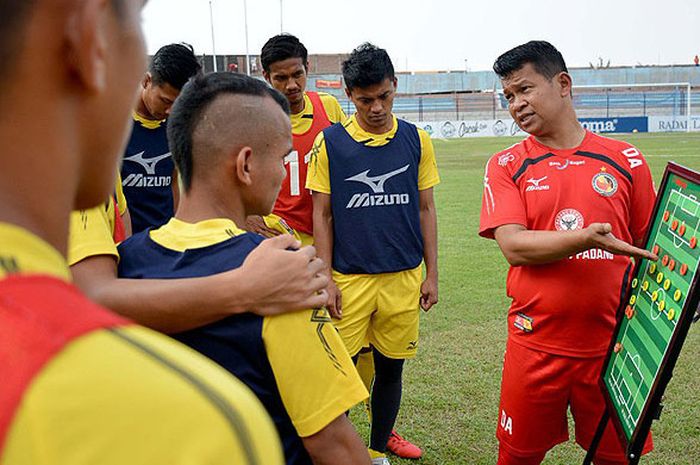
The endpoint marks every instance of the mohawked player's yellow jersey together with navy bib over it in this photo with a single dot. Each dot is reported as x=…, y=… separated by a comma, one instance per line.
x=295, y=363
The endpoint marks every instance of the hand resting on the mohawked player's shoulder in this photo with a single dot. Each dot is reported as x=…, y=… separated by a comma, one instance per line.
x=281, y=280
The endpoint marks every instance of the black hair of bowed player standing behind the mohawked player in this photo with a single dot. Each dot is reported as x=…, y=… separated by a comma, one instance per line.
x=174, y=64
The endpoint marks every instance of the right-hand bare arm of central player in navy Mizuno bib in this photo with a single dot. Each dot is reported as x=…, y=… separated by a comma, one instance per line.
x=428, y=226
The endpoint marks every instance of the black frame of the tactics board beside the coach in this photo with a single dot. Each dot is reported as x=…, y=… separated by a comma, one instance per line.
x=651, y=409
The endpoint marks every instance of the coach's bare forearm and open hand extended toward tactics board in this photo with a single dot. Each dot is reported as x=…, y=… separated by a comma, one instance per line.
x=521, y=246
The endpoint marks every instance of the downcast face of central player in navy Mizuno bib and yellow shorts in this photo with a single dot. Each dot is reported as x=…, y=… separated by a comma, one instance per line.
x=374, y=105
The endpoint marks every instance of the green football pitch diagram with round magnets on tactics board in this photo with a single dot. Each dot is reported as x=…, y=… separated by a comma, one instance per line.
x=658, y=294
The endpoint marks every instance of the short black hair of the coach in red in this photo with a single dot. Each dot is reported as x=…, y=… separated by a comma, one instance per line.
x=543, y=56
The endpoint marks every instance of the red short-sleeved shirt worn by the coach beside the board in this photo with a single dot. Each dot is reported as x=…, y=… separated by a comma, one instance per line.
x=568, y=307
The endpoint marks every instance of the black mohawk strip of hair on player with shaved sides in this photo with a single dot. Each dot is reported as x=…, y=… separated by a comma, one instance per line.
x=189, y=107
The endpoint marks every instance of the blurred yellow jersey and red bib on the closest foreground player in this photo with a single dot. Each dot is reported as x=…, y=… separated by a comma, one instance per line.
x=115, y=394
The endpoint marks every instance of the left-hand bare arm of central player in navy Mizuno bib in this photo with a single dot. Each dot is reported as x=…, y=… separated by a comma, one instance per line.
x=323, y=239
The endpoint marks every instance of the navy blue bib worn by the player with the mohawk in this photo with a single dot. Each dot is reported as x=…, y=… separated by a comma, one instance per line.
x=236, y=343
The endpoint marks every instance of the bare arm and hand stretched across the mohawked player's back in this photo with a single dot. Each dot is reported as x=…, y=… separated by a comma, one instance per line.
x=272, y=280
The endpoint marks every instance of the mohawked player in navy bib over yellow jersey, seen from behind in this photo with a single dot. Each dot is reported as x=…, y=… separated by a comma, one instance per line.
x=229, y=134
